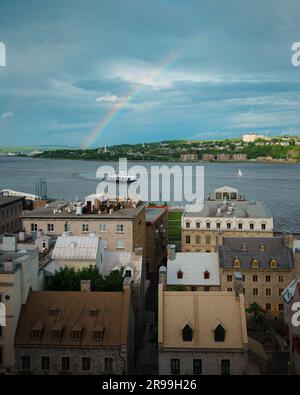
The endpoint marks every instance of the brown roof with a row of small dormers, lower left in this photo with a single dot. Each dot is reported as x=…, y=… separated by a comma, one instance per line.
x=74, y=309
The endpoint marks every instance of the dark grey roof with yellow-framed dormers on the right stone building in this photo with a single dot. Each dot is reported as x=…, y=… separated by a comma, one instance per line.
x=274, y=247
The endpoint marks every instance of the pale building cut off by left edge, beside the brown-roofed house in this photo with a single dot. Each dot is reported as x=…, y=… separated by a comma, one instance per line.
x=18, y=274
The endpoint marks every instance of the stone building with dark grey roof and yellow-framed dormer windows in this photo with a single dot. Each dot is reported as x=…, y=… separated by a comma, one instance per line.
x=266, y=264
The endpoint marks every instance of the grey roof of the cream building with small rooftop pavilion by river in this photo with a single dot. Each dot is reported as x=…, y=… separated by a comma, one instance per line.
x=241, y=209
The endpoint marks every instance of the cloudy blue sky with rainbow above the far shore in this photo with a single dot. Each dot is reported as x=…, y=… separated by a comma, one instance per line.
x=103, y=72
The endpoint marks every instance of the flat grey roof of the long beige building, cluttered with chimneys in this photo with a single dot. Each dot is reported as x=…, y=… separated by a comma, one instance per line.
x=48, y=212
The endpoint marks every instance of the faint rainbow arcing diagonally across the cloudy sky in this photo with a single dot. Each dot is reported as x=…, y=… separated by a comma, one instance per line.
x=120, y=106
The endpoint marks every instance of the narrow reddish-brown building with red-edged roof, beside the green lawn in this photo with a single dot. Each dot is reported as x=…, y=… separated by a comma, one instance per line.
x=156, y=237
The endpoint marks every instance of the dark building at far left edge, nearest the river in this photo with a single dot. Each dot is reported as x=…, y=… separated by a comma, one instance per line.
x=10, y=212
